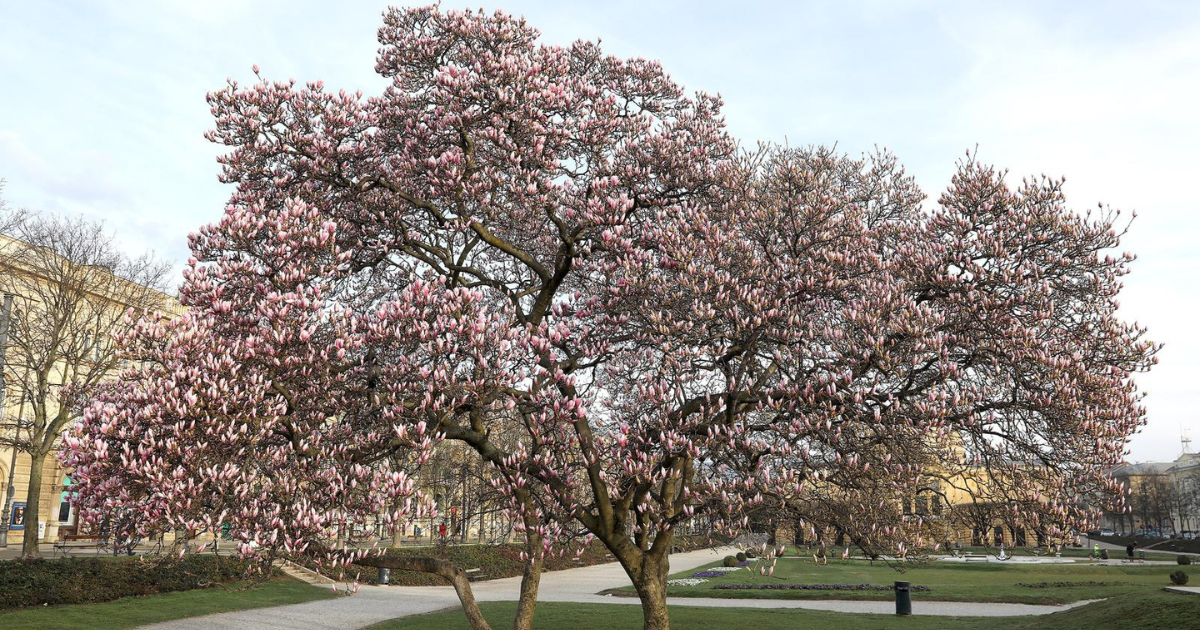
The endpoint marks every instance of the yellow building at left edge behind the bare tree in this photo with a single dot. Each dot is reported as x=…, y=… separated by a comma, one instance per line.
x=65, y=295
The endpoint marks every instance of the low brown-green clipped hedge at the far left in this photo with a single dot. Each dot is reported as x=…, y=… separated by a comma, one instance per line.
x=94, y=580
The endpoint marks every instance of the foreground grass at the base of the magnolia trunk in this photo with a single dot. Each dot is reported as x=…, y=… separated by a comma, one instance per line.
x=1144, y=611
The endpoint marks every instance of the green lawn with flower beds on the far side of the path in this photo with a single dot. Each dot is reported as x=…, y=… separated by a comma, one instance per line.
x=947, y=581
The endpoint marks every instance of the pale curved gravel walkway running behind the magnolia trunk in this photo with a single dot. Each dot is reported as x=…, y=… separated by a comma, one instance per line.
x=377, y=604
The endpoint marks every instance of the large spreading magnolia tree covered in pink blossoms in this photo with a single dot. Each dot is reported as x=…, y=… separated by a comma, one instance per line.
x=565, y=250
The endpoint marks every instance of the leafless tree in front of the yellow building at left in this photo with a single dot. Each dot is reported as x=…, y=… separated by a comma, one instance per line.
x=71, y=292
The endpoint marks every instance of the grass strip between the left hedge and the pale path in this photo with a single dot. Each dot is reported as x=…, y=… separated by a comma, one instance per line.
x=129, y=613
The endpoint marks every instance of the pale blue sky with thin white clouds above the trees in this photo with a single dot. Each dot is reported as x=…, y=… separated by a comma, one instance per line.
x=103, y=110
